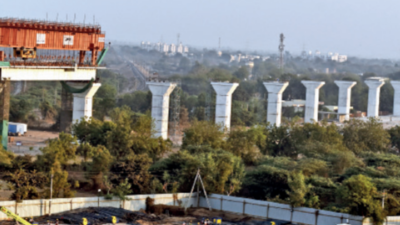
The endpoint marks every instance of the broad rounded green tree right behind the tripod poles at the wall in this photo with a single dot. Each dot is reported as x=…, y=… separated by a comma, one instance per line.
x=222, y=172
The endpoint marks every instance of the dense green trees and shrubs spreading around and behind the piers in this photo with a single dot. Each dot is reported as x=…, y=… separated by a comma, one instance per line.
x=347, y=169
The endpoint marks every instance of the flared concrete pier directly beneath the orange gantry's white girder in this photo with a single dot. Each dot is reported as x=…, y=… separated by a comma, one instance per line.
x=83, y=102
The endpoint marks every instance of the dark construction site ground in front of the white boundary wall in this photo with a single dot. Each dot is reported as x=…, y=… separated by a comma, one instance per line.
x=103, y=215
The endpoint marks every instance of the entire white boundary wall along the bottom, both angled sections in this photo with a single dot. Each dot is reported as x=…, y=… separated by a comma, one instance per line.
x=250, y=207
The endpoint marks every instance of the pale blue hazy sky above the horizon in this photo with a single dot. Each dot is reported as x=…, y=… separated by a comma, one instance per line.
x=368, y=28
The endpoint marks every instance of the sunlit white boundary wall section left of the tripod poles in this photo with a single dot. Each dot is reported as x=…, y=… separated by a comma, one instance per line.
x=40, y=207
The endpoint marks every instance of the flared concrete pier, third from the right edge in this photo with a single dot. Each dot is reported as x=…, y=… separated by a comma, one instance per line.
x=344, y=98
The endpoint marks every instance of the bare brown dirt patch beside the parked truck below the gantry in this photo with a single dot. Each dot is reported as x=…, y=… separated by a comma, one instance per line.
x=31, y=142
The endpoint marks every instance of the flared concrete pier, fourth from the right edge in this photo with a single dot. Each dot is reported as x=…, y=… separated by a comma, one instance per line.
x=312, y=99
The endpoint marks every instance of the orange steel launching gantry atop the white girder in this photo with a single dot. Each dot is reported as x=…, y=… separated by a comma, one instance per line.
x=33, y=42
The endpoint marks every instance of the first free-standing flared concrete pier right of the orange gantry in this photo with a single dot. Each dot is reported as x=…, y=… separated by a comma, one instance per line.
x=160, y=106
